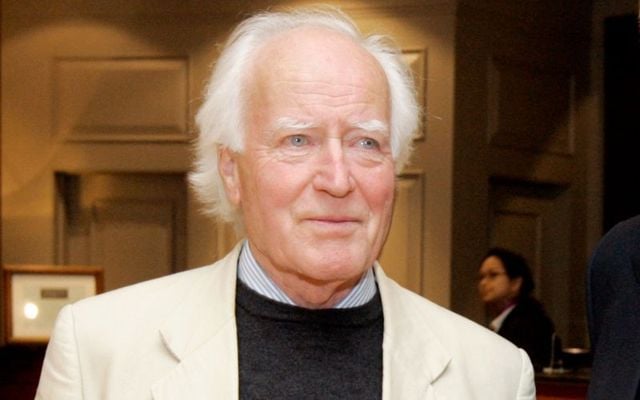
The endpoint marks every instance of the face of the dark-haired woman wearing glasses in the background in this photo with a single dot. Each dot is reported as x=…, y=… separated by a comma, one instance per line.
x=494, y=285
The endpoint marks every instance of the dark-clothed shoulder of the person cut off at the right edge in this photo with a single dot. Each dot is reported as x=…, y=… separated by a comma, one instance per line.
x=613, y=311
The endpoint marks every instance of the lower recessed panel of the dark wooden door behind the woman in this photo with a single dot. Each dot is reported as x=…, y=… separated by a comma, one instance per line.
x=535, y=221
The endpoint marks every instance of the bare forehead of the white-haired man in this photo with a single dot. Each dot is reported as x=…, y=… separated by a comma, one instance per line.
x=317, y=76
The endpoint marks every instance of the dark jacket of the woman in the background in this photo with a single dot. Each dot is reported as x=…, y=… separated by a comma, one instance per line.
x=529, y=327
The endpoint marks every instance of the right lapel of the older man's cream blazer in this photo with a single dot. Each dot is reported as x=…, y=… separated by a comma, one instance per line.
x=413, y=356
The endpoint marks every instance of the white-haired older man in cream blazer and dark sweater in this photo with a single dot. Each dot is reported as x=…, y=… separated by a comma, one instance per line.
x=304, y=124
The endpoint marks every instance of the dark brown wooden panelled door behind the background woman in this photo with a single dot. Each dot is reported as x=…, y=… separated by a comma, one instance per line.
x=520, y=164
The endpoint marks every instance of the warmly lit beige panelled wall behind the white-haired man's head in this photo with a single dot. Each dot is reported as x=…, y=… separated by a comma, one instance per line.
x=52, y=124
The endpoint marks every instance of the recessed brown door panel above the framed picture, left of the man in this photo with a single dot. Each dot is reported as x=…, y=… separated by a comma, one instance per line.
x=132, y=225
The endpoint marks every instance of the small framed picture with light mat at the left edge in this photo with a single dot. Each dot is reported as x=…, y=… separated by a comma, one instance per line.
x=34, y=294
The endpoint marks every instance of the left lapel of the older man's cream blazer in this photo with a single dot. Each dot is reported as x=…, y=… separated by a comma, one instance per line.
x=202, y=337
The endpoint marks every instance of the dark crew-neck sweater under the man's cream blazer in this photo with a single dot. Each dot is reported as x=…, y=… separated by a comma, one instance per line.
x=289, y=352
